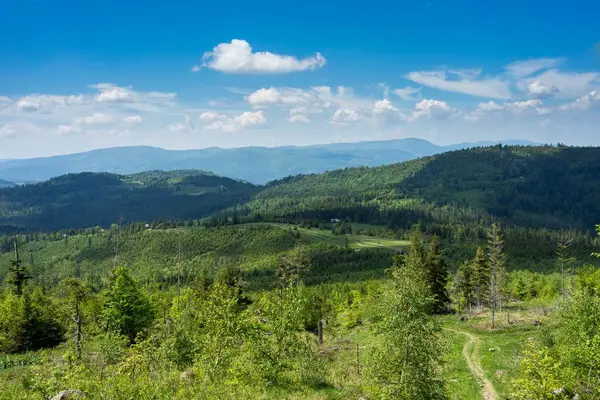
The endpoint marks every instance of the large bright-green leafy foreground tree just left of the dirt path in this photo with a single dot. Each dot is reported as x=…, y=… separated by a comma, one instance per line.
x=404, y=362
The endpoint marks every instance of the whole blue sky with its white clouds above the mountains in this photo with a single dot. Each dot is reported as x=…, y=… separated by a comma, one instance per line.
x=185, y=74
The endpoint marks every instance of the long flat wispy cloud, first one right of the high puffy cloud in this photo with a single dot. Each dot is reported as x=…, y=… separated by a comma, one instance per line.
x=490, y=87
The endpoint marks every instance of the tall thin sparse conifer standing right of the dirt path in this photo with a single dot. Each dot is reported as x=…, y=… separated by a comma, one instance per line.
x=496, y=259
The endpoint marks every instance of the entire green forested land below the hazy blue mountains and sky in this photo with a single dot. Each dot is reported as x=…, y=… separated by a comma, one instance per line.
x=155, y=263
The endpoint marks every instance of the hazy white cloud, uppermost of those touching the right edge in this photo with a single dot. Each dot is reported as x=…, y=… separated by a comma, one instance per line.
x=568, y=85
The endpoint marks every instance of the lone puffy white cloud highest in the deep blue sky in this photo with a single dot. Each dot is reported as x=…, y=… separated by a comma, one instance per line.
x=237, y=57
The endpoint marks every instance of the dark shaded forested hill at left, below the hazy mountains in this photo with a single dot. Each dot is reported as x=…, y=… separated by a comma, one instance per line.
x=90, y=199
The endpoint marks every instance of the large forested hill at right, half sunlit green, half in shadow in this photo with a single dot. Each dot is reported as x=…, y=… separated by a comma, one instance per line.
x=534, y=186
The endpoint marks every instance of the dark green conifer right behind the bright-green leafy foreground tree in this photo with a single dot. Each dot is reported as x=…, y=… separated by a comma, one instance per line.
x=437, y=276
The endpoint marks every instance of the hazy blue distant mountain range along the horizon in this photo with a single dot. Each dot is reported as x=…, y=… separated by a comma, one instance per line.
x=253, y=164
